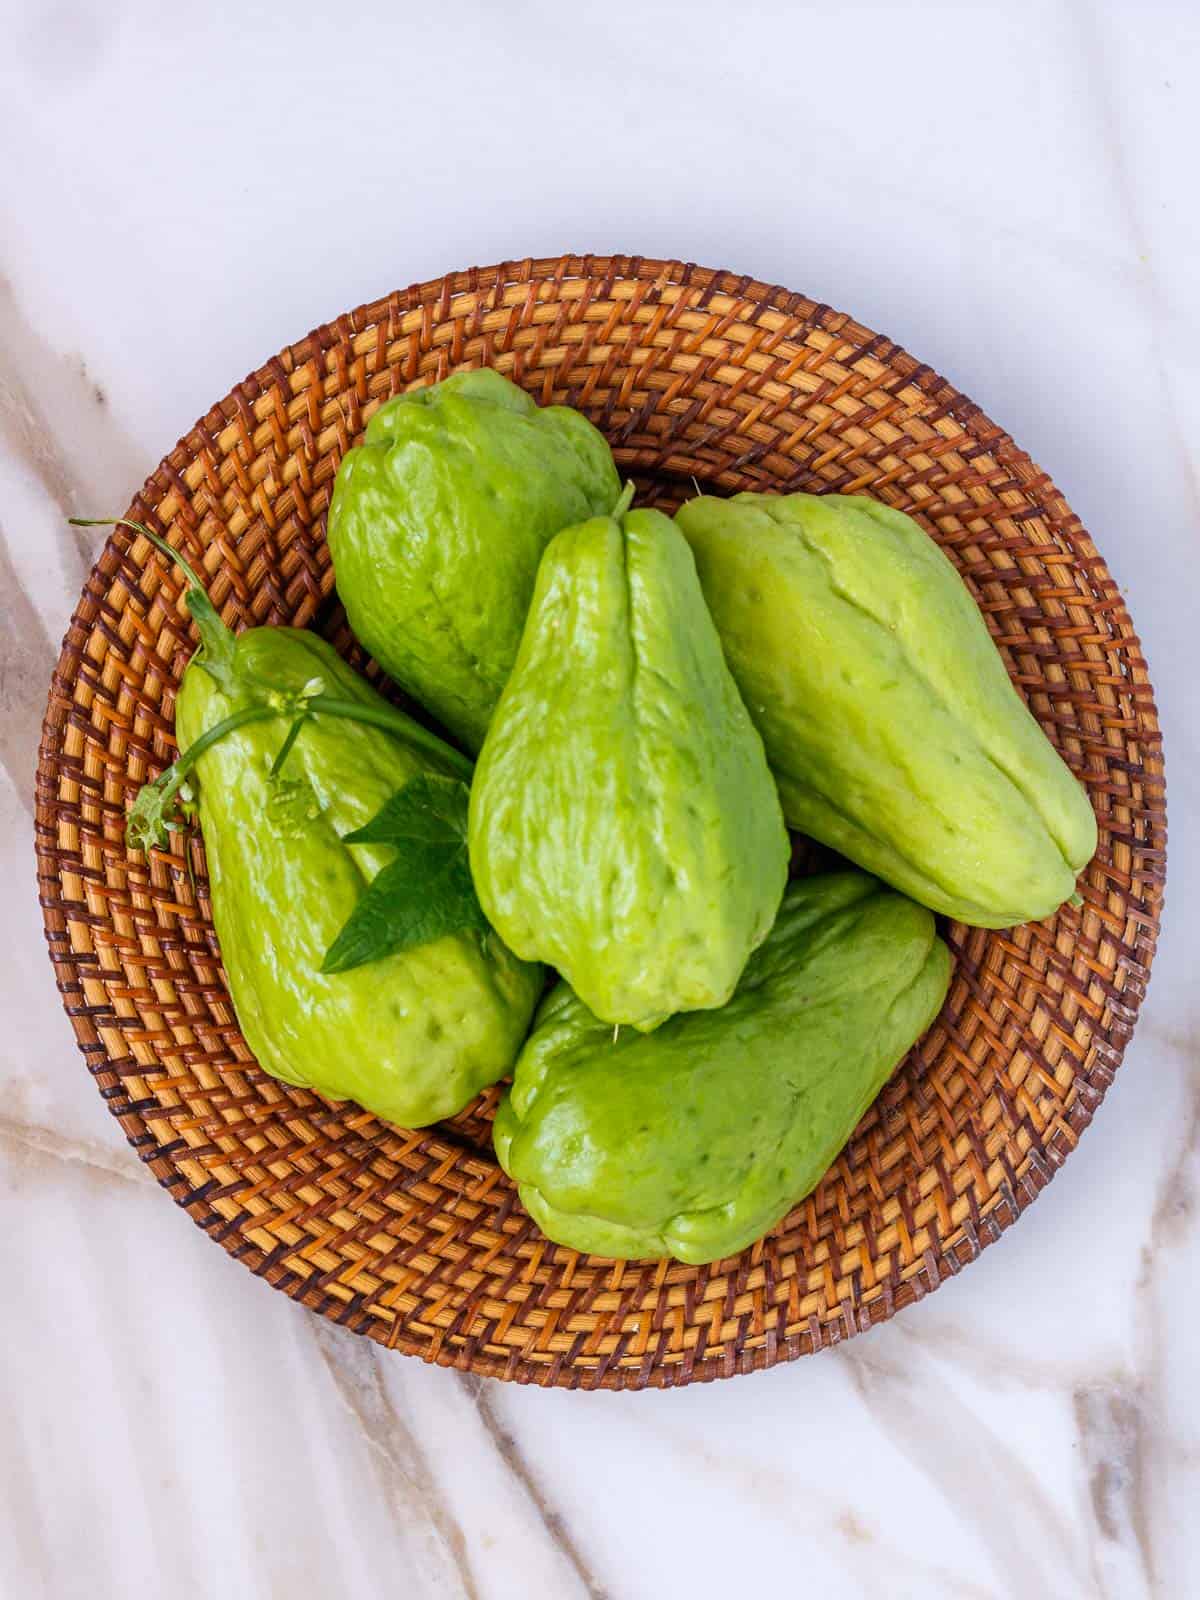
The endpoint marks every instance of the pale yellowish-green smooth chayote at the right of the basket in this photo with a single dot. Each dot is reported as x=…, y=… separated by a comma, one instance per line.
x=889, y=718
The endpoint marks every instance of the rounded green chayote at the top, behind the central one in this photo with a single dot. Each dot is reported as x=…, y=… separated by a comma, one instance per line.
x=438, y=524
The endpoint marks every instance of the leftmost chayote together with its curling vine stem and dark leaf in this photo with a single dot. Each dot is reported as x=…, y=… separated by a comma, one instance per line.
x=294, y=751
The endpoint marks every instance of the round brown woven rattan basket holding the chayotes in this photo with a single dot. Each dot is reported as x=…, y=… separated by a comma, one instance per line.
x=417, y=1239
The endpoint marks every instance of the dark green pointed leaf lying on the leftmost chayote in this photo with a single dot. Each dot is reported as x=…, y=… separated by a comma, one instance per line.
x=426, y=894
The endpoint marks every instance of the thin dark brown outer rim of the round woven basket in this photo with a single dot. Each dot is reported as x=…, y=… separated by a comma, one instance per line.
x=434, y=298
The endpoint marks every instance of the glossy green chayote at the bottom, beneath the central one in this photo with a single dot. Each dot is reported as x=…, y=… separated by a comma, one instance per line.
x=695, y=1140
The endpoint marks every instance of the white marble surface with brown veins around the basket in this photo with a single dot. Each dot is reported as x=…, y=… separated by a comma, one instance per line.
x=1006, y=188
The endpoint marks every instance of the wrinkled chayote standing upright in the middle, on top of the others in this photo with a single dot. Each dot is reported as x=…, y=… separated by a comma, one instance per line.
x=623, y=822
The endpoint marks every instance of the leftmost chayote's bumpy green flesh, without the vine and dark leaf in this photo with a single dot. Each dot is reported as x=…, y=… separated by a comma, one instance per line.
x=410, y=1038
